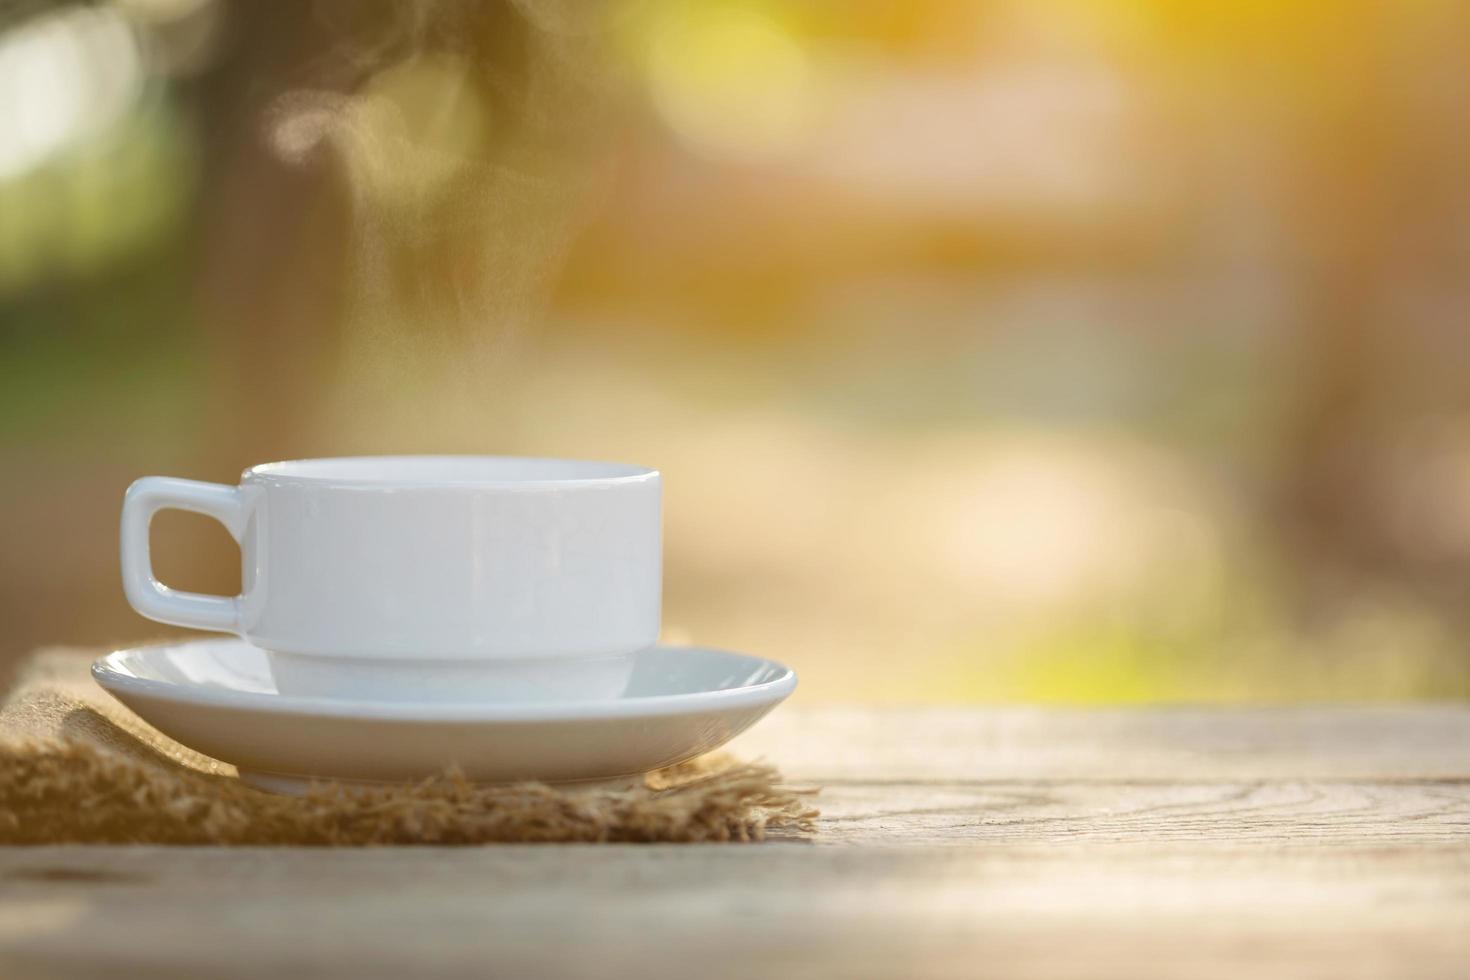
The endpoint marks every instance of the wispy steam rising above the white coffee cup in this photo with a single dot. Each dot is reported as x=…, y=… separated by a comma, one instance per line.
x=465, y=139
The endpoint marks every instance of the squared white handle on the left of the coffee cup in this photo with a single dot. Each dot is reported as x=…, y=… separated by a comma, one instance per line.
x=151, y=597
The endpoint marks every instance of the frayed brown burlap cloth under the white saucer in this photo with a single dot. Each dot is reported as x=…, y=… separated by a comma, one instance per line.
x=79, y=768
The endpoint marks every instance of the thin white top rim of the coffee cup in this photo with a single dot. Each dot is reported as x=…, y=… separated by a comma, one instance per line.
x=495, y=472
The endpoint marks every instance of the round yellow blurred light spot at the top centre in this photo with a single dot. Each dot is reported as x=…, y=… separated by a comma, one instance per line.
x=730, y=80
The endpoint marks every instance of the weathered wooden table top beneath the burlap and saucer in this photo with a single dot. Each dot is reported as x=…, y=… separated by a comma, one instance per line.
x=1297, y=843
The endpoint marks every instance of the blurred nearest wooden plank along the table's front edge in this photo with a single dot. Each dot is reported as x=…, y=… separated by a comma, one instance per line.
x=736, y=912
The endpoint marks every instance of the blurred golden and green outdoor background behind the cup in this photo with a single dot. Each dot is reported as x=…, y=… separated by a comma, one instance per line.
x=993, y=350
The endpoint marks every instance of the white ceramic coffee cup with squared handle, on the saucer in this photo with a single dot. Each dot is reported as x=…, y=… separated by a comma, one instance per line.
x=423, y=568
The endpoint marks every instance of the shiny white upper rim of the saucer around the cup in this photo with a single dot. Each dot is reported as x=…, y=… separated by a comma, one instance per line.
x=108, y=672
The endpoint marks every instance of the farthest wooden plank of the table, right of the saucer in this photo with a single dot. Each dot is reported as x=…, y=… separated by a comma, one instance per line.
x=1241, y=744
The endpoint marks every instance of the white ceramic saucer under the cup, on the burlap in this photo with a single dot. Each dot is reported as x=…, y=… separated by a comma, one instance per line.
x=220, y=699
